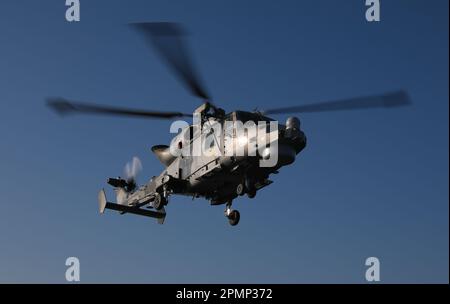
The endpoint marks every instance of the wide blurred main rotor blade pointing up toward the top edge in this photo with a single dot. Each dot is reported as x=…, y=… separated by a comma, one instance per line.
x=167, y=38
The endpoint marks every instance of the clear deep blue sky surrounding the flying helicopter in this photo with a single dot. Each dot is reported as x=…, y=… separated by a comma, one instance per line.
x=369, y=183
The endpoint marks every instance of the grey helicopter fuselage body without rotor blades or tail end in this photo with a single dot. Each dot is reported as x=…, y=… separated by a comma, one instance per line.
x=218, y=177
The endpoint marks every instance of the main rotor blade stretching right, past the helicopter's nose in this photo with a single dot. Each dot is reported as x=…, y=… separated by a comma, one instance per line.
x=388, y=100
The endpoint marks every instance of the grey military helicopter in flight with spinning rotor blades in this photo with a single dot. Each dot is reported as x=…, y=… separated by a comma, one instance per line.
x=218, y=178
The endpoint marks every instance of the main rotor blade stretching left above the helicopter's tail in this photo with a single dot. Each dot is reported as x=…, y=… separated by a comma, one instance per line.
x=65, y=107
